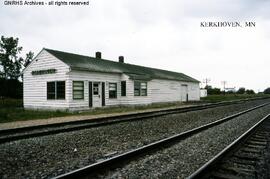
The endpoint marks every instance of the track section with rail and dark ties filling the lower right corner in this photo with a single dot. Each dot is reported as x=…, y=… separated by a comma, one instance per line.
x=243, y=158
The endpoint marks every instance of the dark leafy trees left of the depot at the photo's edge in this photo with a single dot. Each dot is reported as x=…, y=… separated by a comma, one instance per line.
x=11, y=65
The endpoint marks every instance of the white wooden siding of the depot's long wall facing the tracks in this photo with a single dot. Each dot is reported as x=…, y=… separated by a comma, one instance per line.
x=157, y=90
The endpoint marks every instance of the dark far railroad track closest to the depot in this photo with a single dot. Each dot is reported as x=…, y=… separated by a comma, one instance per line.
x=8, y=135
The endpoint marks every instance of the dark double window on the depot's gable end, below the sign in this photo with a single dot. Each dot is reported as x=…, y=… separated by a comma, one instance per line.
x=56, y=90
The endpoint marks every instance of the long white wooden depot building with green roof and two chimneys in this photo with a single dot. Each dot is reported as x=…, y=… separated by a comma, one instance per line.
x=60, y=80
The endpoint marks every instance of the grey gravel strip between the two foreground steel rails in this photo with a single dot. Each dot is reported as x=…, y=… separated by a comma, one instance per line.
x=180, y=160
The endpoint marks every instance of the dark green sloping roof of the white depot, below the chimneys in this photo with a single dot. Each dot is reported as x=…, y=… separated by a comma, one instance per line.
x=86, y=63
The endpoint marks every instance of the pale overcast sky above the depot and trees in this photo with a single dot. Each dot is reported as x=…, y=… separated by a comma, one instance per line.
x=155, y=33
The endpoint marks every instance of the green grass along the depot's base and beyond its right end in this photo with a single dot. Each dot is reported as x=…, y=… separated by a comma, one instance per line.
x=11, y=109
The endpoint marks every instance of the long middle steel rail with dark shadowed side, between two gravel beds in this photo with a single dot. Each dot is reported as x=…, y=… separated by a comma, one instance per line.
x=117, y=161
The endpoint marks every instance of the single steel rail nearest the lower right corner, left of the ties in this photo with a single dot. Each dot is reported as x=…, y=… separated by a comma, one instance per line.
x=203, y=170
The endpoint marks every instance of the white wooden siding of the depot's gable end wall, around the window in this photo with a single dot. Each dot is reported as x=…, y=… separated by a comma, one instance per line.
x=35, y=86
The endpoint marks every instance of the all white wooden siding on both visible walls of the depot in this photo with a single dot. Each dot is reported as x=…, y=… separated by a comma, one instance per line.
x=35, y=90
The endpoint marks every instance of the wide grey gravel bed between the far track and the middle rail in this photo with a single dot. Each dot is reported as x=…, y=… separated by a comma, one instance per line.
x=48, y=156
